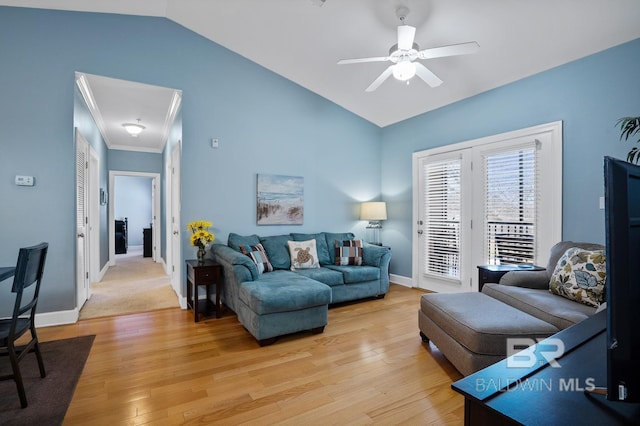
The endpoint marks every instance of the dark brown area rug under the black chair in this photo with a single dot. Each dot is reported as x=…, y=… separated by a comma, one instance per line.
x=48, y=397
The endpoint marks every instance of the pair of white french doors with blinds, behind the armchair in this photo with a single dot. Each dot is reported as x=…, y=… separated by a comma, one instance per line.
x=494, y=200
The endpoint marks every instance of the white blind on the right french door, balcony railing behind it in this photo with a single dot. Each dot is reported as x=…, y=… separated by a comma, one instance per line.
x=510, y=182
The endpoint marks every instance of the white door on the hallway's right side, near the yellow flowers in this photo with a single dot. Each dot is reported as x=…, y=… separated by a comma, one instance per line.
x=176, y=246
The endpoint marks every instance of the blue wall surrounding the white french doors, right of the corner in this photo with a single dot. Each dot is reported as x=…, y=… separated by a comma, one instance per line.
x=588, y=95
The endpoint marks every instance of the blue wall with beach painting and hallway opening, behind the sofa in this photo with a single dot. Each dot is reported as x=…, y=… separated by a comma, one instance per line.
x=265, y=123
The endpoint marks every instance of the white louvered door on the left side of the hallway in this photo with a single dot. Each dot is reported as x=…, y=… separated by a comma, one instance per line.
x=82, y=220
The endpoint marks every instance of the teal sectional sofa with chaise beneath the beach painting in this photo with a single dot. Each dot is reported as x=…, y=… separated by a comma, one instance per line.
x=274, y=303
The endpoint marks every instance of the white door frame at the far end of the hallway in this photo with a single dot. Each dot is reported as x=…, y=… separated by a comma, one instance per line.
x=155, y=212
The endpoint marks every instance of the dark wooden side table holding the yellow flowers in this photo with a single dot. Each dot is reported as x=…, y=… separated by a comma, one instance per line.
x=206, y=273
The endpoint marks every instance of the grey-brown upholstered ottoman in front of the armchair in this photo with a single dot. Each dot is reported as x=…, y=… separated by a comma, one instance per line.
x=471, y=329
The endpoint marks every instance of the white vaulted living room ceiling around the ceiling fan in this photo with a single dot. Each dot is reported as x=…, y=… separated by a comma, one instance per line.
x=302, y=41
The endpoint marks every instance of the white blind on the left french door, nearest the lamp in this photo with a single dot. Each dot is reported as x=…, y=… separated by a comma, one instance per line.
x=442, y=214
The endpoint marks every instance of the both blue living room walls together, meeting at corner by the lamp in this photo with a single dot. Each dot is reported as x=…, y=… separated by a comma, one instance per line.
x=267, y=124
